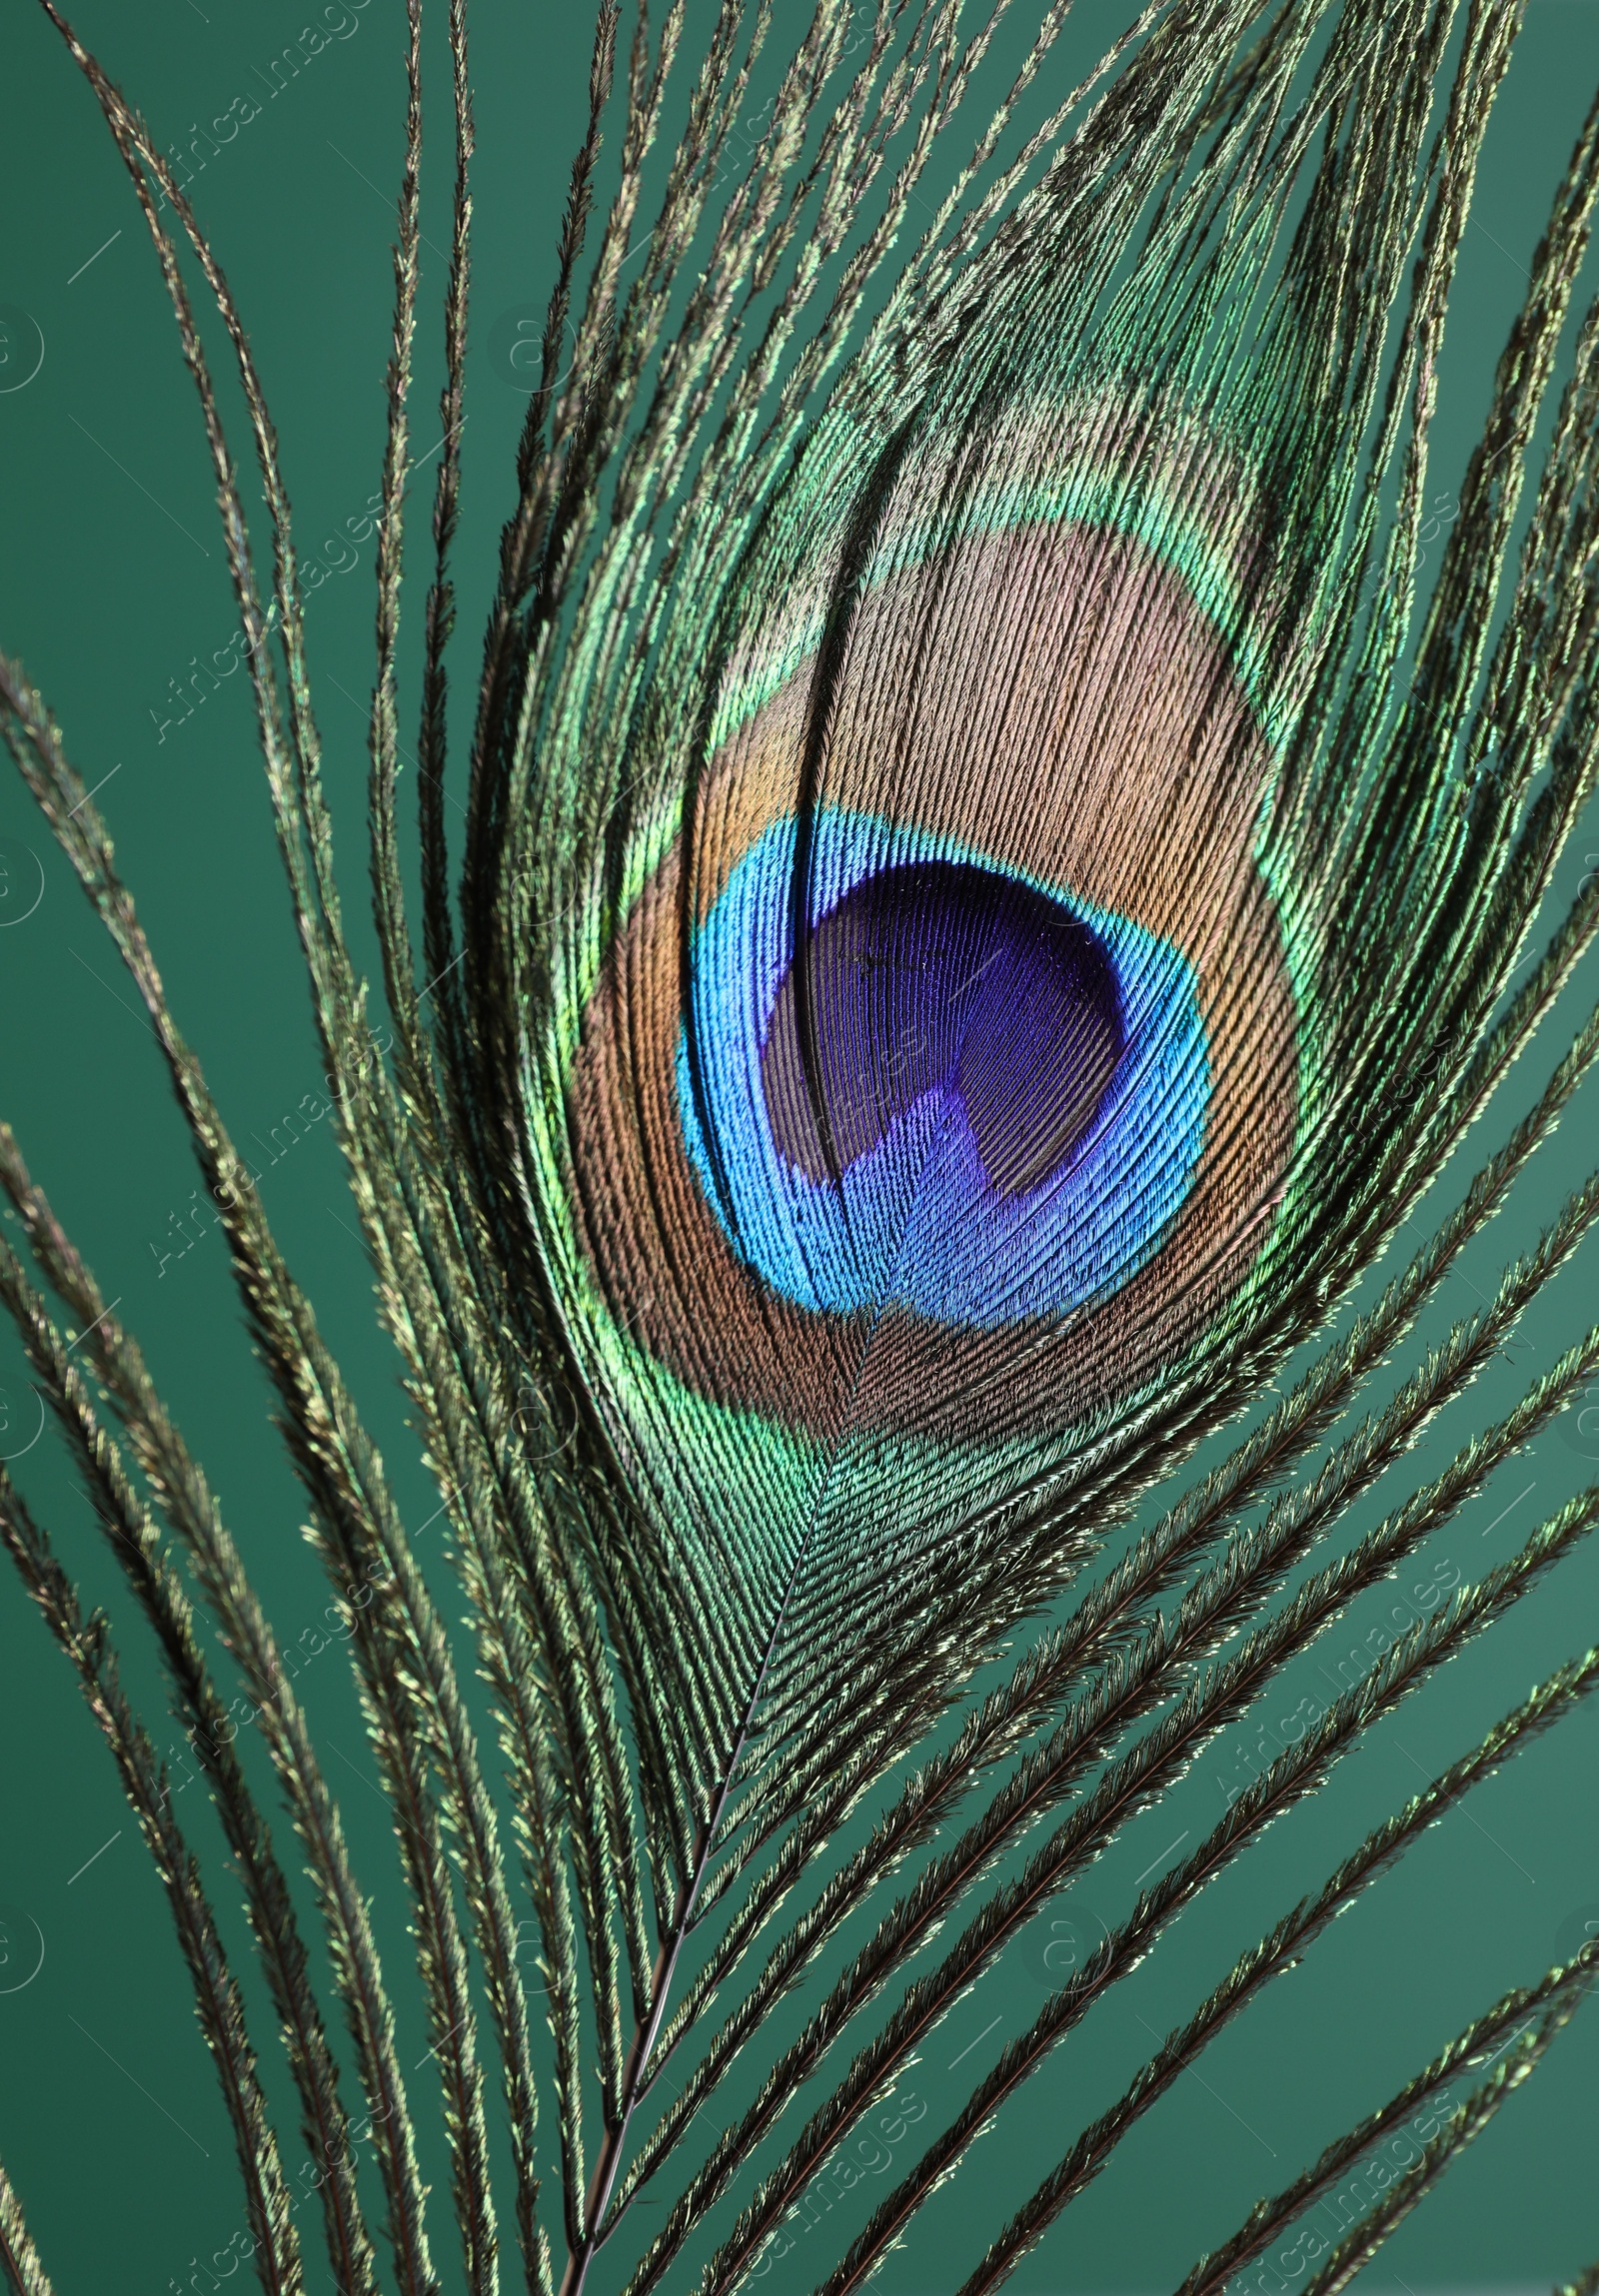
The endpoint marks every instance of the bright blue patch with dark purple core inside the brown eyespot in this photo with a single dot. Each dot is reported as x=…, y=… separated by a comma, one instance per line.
x=929, y=1080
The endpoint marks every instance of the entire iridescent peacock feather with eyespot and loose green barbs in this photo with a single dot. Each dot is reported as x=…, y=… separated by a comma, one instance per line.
x=989, y=894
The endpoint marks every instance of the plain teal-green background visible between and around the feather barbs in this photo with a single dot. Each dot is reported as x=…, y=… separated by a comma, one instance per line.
x=111, y=584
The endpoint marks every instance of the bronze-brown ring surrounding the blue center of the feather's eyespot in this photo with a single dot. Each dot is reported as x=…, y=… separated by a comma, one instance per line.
x=1053, y=701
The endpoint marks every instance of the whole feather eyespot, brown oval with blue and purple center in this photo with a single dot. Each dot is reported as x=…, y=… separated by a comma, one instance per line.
x=952, y=1032
